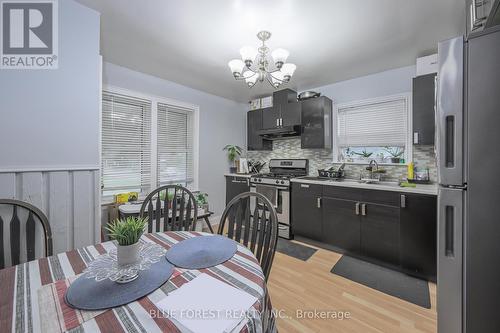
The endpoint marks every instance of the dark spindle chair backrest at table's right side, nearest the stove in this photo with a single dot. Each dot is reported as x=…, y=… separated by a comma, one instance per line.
x=251, y=220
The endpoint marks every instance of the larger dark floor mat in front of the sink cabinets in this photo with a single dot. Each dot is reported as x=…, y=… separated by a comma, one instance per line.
x=386, y=280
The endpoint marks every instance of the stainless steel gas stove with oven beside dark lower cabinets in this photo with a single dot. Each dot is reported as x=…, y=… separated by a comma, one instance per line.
x=275, y=186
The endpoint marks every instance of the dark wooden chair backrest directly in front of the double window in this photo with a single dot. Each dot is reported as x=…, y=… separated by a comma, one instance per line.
x=170, y=208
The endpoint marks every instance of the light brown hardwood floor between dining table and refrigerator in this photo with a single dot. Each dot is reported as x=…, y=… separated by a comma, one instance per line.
x=309, y=285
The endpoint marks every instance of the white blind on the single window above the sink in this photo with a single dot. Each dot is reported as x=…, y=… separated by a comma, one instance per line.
x=373, y=124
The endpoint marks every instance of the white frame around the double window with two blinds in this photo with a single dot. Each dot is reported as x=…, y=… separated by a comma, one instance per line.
x=154, y=130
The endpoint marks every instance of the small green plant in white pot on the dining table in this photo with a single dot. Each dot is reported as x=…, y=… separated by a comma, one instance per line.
x=127, y=232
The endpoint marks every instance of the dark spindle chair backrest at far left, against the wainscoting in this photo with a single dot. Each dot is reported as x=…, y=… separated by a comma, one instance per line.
x=28, y=226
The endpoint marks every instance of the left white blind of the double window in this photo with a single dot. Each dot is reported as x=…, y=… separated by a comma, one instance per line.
x=126, y=143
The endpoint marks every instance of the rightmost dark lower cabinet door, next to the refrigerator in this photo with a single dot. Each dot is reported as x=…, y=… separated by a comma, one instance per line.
x=418, y=229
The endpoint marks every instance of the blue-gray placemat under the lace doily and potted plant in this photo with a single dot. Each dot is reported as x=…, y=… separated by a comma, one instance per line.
x=88, y=294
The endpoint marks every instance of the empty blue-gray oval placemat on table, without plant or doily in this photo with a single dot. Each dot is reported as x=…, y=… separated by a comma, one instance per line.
x=201, y=252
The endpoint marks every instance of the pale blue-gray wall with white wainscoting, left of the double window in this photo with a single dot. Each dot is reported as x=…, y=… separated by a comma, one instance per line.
x=49, y=133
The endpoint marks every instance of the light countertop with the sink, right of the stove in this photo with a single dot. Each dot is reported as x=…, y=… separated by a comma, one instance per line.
x=431, y=189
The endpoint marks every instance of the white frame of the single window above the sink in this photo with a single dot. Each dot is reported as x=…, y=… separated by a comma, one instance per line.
x=409, y=125
